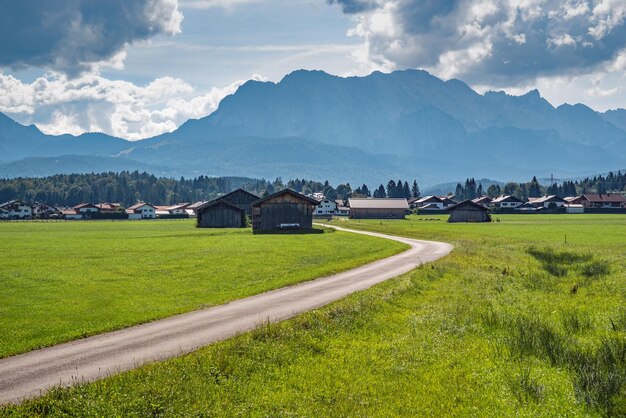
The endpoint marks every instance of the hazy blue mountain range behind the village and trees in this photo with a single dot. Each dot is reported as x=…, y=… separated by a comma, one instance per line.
x=405, y=124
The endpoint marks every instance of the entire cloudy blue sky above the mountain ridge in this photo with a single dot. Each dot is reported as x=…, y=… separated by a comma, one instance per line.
x=138, y=69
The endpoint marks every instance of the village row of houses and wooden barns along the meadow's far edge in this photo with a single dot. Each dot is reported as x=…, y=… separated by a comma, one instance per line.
x=288, y=209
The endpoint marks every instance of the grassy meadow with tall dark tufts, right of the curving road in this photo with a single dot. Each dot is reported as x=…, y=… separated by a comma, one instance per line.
x=515, y=322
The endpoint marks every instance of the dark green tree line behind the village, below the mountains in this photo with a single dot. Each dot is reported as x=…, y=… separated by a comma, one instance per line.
x=129, y=188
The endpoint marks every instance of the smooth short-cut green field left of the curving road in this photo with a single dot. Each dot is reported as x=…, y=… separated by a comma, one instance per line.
x=61, y=281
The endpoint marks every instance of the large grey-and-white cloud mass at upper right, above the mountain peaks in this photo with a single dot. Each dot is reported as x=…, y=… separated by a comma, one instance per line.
x=490, y=41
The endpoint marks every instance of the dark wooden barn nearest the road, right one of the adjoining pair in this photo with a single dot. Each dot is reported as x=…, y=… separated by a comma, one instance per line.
x=283, y=210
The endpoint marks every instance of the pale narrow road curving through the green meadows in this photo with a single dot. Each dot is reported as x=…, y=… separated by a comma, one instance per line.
x=31, y=374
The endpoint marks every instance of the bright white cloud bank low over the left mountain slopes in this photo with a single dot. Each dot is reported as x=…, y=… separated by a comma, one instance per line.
x=91, y=103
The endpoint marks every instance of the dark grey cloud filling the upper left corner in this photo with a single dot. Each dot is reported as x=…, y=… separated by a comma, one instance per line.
x=75, y=35
